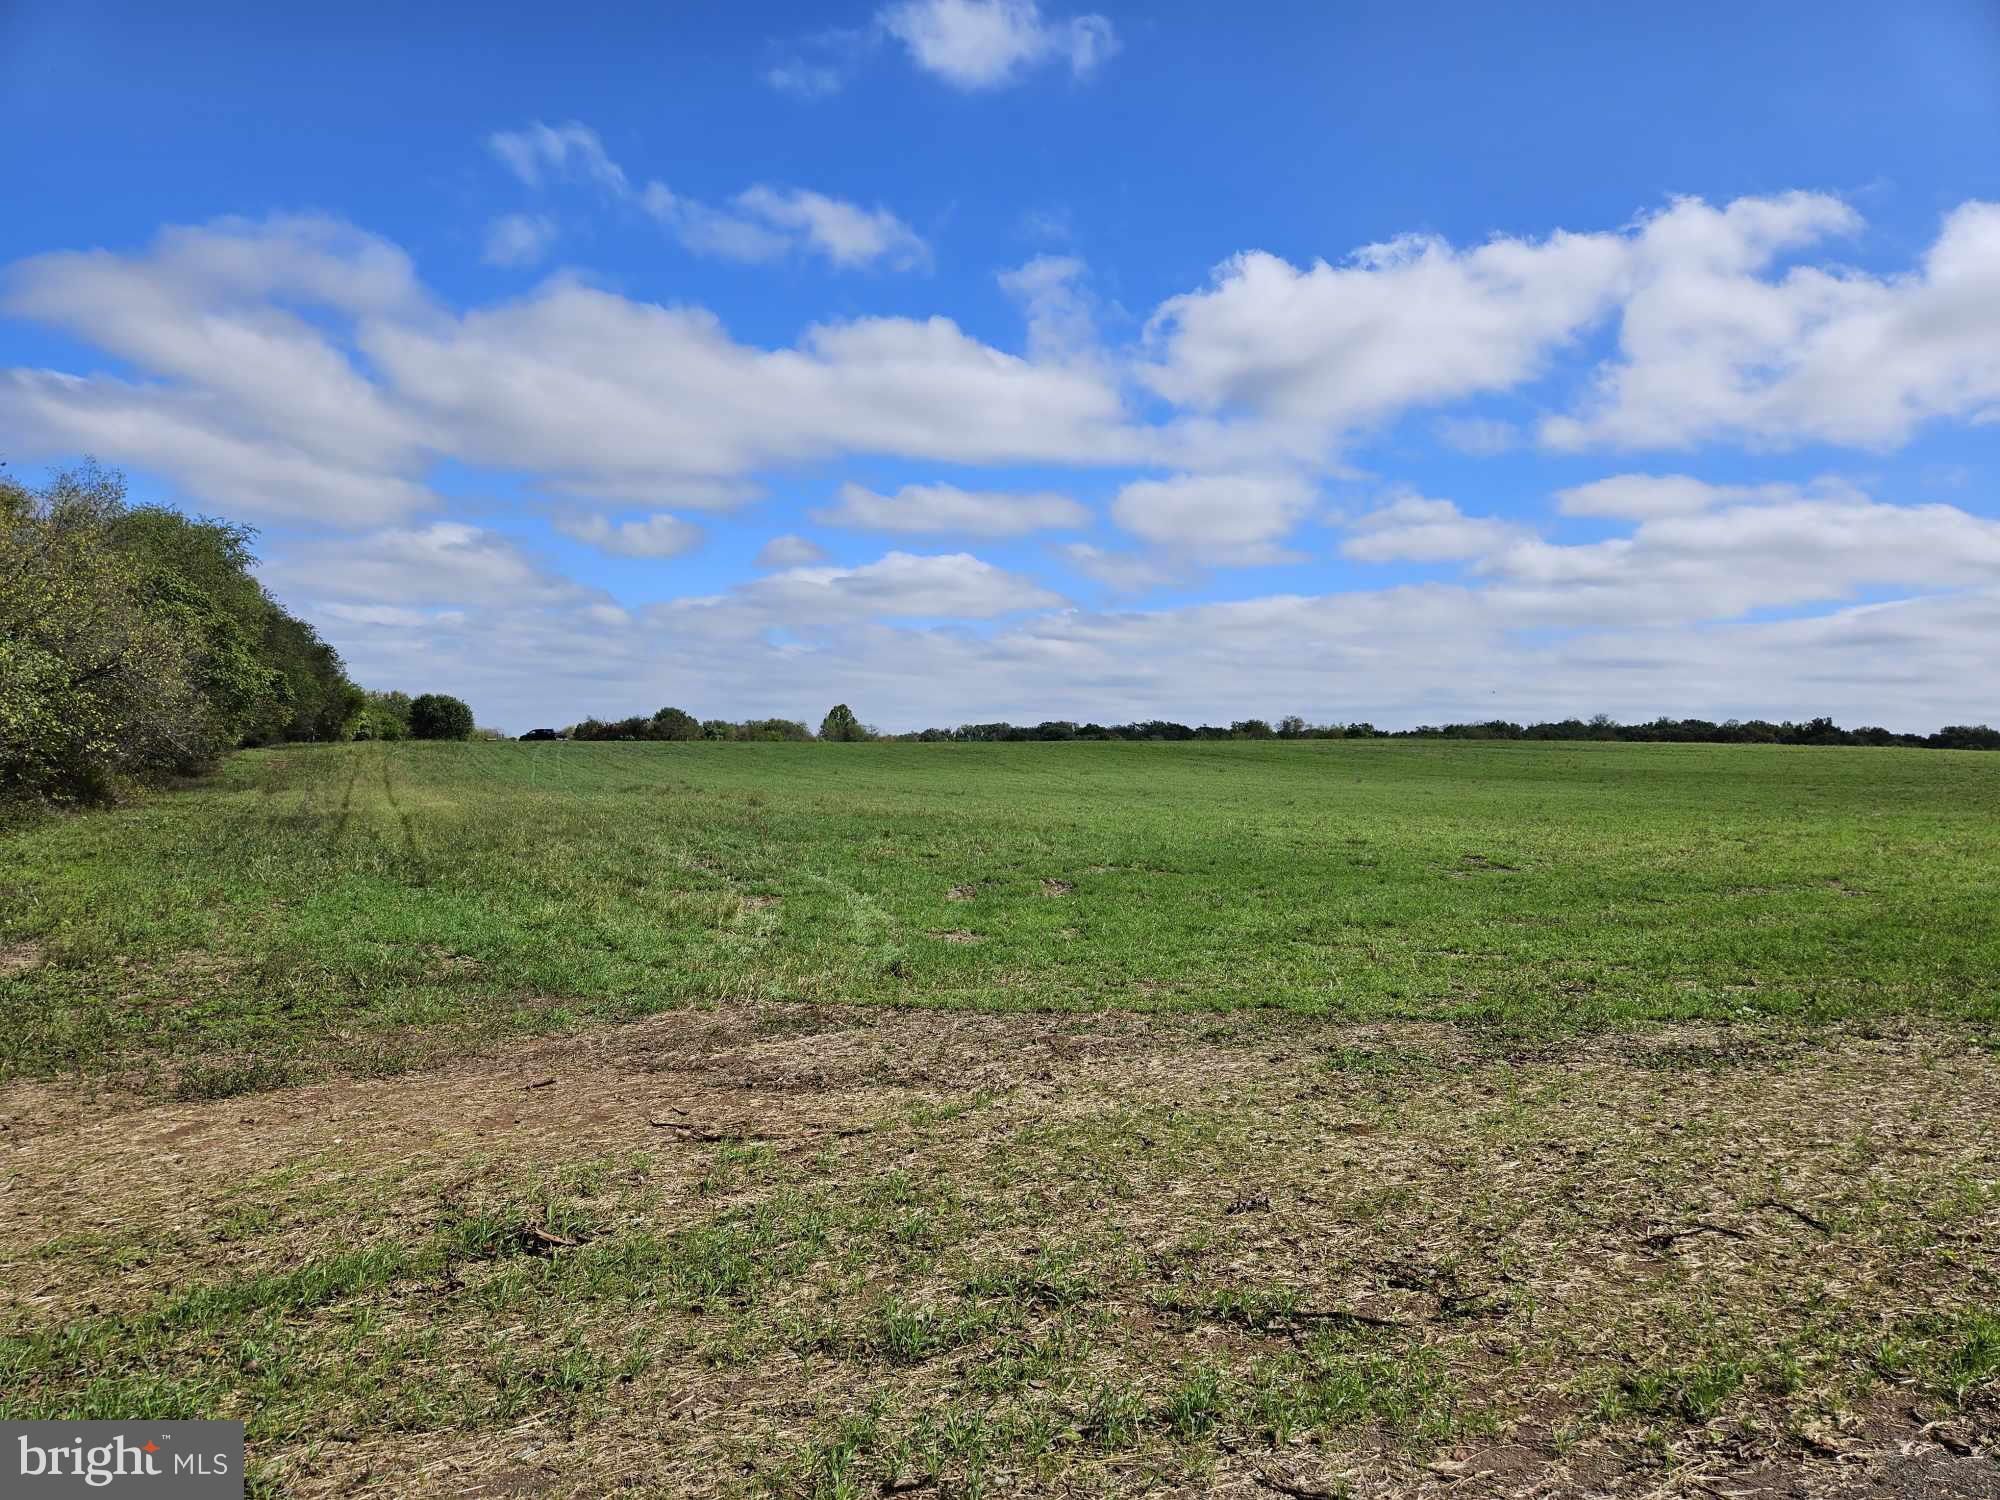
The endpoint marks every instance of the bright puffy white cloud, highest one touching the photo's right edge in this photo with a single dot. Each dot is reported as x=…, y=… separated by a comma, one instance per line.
x=1715, y=347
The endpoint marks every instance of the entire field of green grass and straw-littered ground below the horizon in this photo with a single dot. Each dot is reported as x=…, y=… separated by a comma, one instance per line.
x=1327, y=1119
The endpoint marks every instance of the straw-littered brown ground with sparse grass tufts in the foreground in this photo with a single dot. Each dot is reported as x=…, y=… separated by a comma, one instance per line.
x=775, y=1249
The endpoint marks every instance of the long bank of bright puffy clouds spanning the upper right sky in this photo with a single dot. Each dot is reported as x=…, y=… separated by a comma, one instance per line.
x=1715, y=341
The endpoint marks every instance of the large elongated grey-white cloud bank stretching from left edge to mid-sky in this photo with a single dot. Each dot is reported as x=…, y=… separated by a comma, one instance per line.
x=247, y=401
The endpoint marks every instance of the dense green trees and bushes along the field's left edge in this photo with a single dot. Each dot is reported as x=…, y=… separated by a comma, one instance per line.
x=137, y=645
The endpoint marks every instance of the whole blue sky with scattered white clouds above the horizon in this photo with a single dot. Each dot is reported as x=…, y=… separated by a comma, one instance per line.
x=973, y=359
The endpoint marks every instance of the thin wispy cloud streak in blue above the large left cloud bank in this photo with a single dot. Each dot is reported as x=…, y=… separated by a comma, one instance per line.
x=759, y=225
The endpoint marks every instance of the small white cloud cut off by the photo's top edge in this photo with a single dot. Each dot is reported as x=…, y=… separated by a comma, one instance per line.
x=991, y=43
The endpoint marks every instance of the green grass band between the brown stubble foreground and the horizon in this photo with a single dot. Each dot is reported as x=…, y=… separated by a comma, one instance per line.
x=375, y=907
